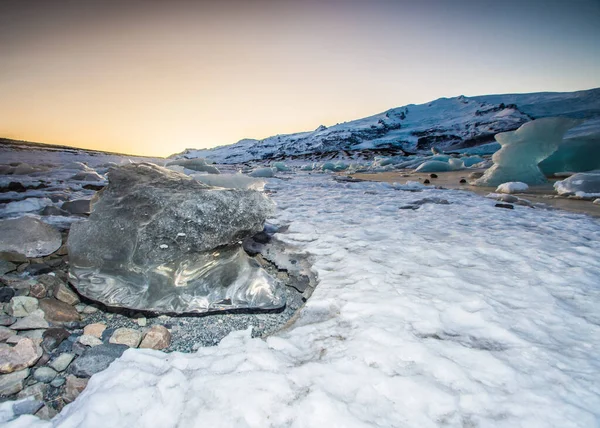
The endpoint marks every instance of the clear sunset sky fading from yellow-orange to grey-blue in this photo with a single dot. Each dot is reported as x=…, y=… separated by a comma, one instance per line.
x=155, y=77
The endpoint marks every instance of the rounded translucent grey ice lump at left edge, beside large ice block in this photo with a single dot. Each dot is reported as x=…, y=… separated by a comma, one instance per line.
x=29, y=236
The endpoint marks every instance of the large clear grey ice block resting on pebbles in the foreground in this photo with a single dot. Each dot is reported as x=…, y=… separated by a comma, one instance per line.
x=177, y=248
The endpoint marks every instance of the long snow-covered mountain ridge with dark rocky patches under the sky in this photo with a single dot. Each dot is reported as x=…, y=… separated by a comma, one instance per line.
x=447, y=123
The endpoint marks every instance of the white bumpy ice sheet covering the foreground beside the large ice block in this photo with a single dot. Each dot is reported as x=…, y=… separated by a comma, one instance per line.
x=448, y=315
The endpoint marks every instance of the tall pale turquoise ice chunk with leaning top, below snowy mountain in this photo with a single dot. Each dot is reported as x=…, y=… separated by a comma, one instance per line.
x=522, y=150
